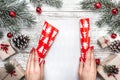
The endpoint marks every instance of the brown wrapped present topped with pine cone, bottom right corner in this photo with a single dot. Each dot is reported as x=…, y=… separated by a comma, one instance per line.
x=109, y=68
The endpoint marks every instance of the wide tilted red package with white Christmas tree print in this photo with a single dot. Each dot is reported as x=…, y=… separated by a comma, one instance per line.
x=47, y=38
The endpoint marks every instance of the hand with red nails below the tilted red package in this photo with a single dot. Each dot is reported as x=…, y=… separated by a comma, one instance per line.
x=34, y=70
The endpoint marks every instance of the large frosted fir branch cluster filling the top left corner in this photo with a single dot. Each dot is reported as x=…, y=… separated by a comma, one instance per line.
x=23, y=16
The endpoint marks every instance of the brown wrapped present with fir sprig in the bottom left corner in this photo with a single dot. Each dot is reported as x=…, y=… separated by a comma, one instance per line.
x=12, y=71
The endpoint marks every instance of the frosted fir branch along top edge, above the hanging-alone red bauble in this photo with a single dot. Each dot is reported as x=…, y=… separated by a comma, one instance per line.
x=53, y=3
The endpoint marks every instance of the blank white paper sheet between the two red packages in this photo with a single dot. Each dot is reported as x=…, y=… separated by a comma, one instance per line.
x=63, y=58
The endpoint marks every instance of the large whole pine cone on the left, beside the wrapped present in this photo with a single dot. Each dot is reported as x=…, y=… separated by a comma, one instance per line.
x=20, y=41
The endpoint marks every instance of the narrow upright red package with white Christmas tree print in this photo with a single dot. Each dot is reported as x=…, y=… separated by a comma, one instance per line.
x=85, y=39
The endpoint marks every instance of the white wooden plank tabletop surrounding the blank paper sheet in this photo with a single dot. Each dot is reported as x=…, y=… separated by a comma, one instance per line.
x=71, y=10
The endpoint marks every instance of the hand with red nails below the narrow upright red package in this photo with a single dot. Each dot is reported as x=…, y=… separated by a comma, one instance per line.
x=87, y=69
